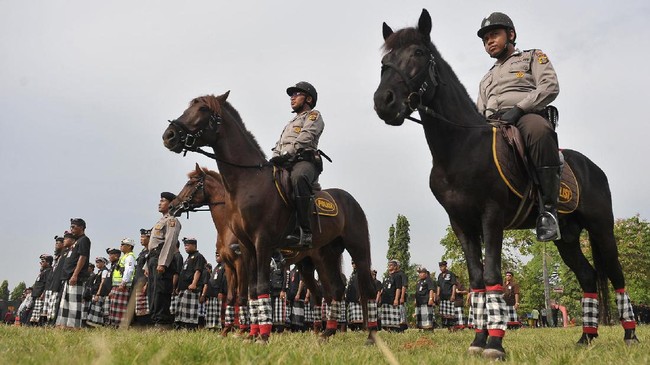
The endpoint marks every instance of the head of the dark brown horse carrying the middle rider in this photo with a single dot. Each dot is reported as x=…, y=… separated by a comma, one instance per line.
x=197, y=126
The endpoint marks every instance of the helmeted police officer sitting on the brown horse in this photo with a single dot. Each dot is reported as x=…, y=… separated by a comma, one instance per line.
x=297, y=150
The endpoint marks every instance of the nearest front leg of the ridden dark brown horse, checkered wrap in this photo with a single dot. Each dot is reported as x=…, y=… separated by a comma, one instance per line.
x=263, y=308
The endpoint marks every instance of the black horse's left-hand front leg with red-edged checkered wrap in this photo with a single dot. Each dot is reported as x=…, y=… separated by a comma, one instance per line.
x=471, y=245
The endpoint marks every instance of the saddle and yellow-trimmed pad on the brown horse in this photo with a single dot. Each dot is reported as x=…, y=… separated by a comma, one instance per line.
x=324, y=203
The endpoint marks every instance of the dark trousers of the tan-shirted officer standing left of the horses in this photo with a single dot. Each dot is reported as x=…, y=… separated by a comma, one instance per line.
x=159, y=292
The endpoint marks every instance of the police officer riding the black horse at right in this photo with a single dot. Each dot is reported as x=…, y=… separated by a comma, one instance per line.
x=518, y=89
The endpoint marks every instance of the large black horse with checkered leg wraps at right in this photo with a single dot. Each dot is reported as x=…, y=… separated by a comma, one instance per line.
x=468, y=183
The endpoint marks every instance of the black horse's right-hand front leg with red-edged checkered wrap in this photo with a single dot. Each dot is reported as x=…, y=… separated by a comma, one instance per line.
x=494, y=303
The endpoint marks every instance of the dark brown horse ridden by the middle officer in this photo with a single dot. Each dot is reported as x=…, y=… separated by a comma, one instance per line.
x=258, y=214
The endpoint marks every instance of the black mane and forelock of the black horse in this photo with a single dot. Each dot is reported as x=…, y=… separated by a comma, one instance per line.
x=409, y=36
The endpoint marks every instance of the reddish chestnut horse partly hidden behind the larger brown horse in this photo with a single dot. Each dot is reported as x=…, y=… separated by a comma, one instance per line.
x=205, y=187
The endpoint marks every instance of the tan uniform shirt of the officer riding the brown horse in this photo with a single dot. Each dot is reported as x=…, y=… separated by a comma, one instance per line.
x=302, y=132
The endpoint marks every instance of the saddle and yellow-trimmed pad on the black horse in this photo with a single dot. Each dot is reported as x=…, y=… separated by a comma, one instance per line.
x=510, y=160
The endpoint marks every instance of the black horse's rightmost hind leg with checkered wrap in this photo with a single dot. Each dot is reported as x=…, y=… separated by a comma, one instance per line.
x=605, y=255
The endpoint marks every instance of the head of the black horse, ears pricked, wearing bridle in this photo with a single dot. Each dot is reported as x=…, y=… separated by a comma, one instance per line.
x=408, y=71
